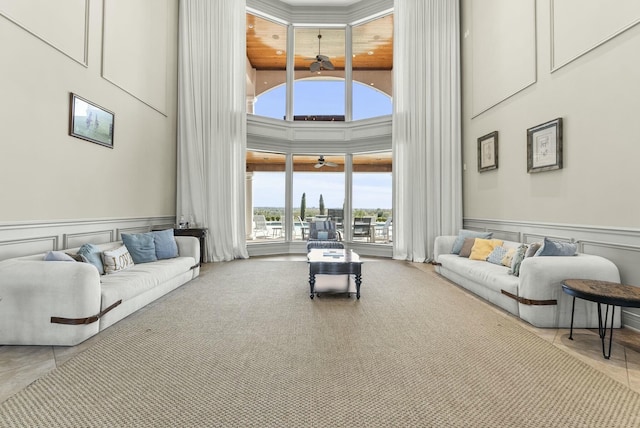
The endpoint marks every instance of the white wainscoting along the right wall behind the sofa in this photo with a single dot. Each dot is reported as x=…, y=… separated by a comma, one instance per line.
x=621, y=246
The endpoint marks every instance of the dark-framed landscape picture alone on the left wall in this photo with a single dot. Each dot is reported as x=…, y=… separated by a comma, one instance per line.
x=90, y=122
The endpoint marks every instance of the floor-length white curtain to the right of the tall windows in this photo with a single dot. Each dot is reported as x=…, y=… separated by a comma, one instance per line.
x=426, y=126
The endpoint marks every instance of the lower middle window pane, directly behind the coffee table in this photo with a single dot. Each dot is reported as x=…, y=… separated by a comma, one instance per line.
x=318, y=190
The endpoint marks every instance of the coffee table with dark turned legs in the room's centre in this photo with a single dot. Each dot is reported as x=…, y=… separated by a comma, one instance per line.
x=334, y=262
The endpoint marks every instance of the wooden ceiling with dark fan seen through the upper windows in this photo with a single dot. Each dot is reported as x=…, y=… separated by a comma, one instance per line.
x=372, y=45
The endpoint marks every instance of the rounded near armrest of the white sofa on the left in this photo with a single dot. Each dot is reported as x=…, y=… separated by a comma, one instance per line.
x=34, y=291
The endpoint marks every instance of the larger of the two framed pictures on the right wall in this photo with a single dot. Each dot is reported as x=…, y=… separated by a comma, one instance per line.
x=544, y=146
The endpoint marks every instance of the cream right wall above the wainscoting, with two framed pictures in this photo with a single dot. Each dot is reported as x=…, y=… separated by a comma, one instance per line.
x=597, y=94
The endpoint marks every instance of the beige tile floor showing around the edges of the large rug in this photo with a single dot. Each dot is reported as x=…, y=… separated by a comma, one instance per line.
x=22, y=365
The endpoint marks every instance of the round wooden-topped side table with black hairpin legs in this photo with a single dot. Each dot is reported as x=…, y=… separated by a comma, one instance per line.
x=602, y=292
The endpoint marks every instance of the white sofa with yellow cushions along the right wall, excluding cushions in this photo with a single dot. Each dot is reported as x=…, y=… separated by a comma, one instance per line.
x=535, y=295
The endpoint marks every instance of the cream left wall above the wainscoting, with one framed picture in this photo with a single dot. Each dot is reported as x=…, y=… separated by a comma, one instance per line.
x=46, y=174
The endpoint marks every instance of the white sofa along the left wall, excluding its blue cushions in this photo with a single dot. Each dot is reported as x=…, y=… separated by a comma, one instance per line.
x=64, y=303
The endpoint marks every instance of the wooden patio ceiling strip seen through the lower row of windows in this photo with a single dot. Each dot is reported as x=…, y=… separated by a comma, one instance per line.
x=368, y=162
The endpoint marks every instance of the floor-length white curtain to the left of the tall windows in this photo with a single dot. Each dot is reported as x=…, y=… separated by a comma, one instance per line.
x=212, y=122
